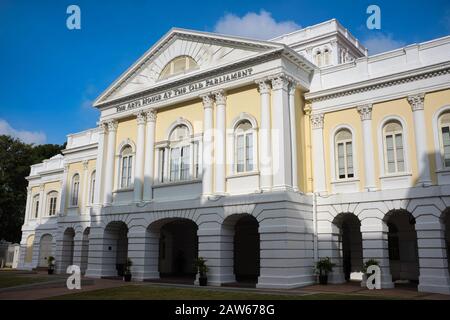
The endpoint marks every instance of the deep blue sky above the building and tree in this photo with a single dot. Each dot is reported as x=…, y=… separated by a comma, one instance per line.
x=50, y=75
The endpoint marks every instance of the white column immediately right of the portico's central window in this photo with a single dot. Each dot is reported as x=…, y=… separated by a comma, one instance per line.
x=207, y=144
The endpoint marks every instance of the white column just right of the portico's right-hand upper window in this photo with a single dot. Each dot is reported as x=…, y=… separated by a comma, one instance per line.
x=265, y=139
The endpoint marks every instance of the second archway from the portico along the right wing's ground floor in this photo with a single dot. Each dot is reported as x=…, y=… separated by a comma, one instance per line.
x=403, y=250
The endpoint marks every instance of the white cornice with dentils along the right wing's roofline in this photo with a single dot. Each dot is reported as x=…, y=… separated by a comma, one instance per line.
x=381, y=82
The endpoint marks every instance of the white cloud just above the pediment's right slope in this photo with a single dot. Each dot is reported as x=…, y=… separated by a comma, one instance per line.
x=254, y=25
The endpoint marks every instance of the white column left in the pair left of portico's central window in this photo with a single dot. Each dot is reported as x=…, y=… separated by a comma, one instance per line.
x=139, y=162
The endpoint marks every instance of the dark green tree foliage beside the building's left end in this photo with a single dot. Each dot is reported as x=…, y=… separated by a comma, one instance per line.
x=15, y=160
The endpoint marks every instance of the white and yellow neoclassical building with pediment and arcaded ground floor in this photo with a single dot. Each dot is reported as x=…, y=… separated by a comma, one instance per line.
x=261, y=157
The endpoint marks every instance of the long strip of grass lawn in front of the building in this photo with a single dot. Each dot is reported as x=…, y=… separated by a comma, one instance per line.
x=147, y=292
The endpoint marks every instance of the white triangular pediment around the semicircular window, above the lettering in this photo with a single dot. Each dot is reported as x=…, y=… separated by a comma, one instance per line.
x=208, y=50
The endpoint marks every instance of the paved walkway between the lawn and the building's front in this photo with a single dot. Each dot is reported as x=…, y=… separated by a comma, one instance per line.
x=56, y=286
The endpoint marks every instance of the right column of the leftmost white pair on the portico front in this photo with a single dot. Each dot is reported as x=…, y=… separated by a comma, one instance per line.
x=110, y=159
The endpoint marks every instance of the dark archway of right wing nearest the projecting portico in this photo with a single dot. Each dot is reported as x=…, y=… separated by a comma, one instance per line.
x=351, y=251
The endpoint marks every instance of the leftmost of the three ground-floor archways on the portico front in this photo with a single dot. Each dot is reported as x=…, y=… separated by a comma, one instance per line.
x=115, y=252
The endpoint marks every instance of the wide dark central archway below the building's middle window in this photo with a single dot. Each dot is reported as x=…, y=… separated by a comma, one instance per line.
x=178, y=249
